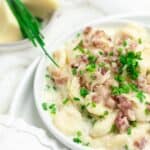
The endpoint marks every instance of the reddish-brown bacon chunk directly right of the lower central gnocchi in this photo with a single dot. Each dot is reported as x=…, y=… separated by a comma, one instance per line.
x=121, y=122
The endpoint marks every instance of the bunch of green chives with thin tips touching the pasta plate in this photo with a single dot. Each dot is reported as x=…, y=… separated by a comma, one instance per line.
x=29, y=25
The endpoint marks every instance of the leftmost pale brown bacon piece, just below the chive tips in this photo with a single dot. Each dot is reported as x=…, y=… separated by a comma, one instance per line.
x=59, y=78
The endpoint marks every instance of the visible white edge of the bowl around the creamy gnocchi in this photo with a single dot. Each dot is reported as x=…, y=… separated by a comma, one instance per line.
x=40, y=74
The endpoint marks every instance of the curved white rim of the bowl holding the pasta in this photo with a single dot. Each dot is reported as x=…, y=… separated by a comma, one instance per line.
x=44, y=115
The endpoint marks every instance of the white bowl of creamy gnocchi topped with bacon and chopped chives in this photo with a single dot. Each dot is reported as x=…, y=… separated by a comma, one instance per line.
x=99, y=96
